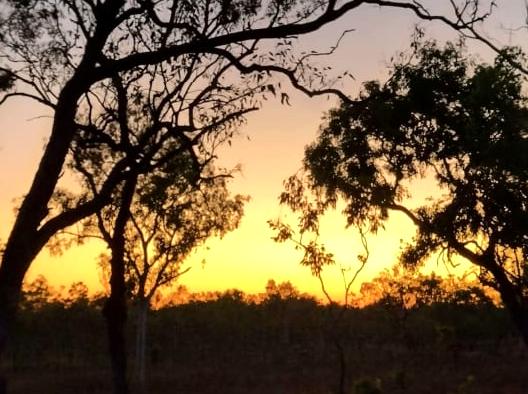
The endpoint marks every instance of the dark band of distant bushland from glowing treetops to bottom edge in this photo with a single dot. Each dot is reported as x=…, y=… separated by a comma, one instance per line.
x=426, y=334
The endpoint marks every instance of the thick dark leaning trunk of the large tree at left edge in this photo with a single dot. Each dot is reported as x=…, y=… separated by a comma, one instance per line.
x=25, y=241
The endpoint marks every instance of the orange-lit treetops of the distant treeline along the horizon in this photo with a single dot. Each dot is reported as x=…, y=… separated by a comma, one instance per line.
x=396, y=287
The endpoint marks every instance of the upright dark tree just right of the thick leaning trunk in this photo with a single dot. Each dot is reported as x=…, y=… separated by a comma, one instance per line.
x=159, y=148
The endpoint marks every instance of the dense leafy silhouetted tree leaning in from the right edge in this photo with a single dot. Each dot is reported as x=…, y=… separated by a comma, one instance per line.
x=443, y=116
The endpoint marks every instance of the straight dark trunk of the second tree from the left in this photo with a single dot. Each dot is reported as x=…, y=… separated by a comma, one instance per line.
x=115, y=310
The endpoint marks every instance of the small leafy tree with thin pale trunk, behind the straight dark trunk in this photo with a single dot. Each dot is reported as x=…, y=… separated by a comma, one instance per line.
x=170, y=216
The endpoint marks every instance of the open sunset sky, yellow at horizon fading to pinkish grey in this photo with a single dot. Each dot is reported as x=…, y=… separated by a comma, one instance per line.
x=269, y=149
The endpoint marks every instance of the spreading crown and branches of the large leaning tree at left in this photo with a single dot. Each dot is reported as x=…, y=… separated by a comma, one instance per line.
x=188, y=63
